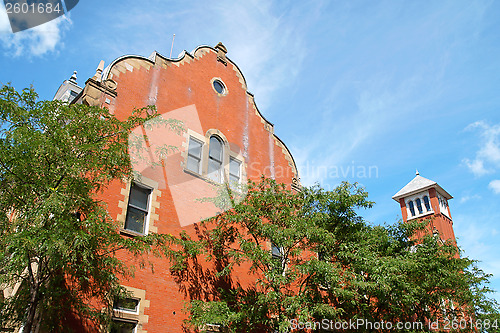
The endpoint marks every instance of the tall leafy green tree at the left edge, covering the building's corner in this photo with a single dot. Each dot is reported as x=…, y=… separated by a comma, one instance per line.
x=57, y=241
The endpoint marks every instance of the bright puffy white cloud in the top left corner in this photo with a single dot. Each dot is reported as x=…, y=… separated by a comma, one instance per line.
x=33, y=42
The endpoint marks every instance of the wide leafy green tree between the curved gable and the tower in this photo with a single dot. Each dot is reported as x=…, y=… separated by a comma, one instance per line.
x=327, y=264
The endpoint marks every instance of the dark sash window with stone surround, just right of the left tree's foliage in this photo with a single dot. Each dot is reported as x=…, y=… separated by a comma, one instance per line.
x=138, y=208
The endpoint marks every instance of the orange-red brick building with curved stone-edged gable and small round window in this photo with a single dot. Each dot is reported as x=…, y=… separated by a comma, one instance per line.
x=225, y=138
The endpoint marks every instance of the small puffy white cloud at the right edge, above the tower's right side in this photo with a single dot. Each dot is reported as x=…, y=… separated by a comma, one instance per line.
x=487, y=158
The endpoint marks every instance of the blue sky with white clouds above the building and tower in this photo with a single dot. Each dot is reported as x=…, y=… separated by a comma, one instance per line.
x=386, y=86
